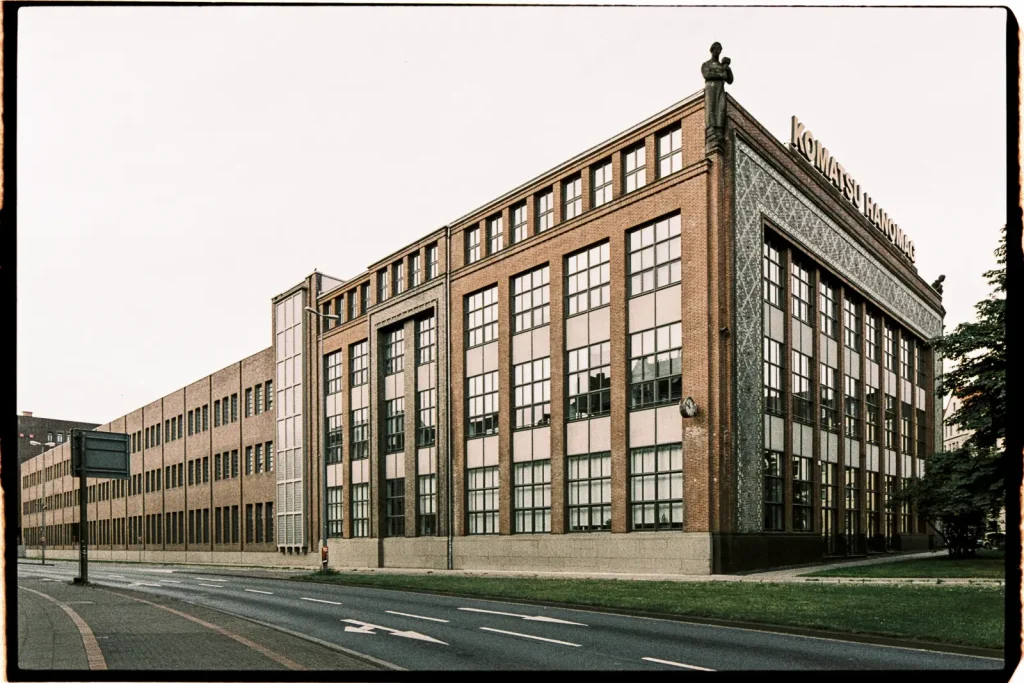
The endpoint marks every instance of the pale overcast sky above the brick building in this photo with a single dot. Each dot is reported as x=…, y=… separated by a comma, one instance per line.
x=181, y=166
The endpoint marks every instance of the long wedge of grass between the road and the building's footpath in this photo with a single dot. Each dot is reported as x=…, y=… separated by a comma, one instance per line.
x=955, y=615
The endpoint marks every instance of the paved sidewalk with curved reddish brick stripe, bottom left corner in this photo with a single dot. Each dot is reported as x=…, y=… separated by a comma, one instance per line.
x=67, y=627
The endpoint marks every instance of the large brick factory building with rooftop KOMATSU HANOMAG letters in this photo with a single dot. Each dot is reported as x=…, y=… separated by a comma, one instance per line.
x=506, y=393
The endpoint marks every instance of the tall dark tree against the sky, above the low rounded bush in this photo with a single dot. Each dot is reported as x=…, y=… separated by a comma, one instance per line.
x=979, y=350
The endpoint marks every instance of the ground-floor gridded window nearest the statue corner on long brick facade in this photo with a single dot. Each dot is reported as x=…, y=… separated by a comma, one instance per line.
x=657, y=488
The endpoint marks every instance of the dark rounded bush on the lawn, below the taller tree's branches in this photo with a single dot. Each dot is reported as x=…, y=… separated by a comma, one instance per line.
x=960, y=490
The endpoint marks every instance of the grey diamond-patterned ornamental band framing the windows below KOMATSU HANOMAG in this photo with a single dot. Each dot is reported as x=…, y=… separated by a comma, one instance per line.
x=762, y=192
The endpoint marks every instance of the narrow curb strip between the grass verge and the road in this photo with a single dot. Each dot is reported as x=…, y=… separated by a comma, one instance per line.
x=888, y=642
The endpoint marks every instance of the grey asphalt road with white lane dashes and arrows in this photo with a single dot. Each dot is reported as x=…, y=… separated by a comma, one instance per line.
x=416, y=631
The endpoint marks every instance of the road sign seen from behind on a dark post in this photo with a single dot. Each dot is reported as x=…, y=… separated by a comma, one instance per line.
x=99, y=455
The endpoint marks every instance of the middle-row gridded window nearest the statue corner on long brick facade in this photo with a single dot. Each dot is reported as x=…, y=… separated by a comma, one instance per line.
x=656, y=366
